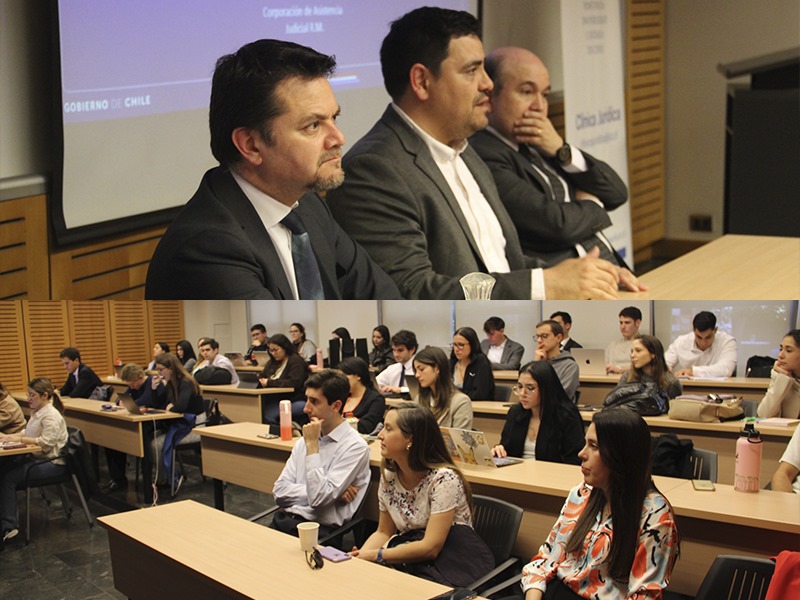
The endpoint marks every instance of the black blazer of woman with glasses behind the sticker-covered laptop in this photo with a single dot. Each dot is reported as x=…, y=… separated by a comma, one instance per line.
x=559, y=439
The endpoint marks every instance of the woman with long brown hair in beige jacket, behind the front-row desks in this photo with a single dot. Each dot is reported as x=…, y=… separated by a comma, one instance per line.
x=450, y=407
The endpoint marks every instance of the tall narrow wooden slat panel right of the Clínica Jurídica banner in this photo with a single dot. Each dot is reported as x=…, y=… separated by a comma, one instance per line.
x=644, y=92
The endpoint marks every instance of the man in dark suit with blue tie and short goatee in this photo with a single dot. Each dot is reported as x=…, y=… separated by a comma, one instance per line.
x=256, y=228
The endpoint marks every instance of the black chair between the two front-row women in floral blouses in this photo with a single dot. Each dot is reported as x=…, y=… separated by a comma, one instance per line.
x=497, y=522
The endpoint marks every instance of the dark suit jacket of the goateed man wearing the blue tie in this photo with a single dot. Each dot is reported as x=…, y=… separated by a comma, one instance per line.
x=217, y=247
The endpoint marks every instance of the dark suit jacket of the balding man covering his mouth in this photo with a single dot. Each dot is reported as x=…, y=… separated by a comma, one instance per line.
x=546, y=227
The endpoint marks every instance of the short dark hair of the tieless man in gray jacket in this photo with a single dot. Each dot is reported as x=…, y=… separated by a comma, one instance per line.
x=421, y=36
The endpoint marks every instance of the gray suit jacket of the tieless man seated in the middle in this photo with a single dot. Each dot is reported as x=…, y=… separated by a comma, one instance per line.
x=396, y=203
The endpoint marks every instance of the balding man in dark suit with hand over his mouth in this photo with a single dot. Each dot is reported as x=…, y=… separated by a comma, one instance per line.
x=559, y=195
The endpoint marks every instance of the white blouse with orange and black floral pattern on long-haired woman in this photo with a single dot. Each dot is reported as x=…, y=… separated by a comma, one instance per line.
x=586, y=573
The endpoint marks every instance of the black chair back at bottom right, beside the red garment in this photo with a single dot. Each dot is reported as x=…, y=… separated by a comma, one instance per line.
x=736, y=577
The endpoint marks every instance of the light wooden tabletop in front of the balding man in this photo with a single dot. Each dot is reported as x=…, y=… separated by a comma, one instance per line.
x=732, y=267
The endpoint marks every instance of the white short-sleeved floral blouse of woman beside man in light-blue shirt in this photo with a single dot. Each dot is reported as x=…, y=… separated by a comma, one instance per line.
x=439, y=491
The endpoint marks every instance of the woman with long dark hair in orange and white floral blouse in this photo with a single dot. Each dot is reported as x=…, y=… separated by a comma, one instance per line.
x=616, y=534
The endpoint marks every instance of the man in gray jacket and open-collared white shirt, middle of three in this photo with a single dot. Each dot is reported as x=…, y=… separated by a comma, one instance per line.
x=419, y=199
